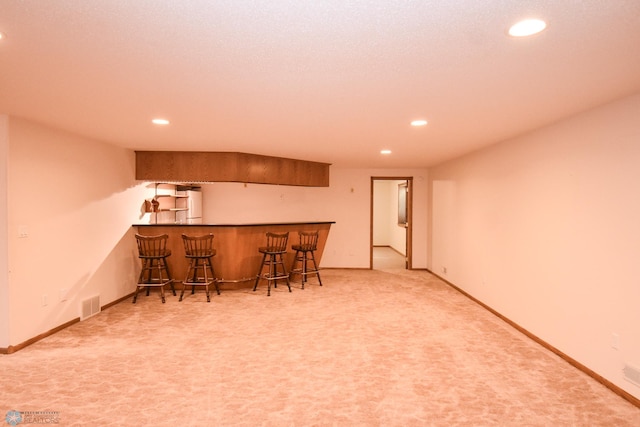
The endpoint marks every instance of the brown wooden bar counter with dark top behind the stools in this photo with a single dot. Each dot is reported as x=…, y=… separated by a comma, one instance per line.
x=237, y=258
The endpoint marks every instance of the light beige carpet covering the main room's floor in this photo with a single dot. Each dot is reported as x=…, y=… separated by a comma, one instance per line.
x=370, y=348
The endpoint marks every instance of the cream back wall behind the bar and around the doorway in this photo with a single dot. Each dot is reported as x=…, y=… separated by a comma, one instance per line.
x=347, y=201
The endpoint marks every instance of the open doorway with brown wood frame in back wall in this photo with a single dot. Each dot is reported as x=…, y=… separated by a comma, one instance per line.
x=391, y=222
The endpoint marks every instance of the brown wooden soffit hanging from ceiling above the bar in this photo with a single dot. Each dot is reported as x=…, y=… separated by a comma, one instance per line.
x=199, y=166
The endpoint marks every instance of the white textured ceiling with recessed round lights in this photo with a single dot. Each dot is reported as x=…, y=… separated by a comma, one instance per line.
x=333, y=81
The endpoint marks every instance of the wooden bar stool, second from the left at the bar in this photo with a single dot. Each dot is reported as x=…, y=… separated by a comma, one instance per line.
x=199, y=251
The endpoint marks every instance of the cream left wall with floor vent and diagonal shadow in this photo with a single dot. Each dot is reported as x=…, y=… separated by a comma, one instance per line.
x=76, y=199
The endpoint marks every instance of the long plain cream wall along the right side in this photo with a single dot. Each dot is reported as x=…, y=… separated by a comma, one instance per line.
x=545, y=229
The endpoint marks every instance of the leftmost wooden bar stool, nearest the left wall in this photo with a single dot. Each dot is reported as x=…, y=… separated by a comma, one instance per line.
x=153, y=252
